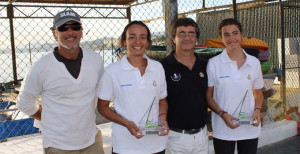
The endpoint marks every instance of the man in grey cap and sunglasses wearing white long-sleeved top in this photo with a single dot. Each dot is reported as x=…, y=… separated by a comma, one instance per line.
x=66, y=79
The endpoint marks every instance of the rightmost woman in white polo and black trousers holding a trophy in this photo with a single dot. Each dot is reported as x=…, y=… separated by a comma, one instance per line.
x=234, y=93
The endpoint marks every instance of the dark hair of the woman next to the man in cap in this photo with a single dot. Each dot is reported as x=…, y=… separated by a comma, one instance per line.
x=123, y=36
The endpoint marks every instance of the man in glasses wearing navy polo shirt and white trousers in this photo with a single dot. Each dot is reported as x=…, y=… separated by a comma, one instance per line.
x=186, y=85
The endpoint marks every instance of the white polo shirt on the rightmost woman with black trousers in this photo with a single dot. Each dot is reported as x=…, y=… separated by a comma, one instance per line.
x=230, y=86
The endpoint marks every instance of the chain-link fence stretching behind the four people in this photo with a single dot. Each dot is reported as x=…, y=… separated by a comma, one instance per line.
x=26, y=37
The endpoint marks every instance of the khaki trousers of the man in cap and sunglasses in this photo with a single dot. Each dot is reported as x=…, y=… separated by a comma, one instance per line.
x=96, y=148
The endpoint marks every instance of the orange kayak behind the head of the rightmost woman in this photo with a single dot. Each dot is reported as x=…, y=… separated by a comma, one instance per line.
x=247, y=42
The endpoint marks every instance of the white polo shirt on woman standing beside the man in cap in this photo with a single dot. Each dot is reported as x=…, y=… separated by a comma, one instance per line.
x=133, y=95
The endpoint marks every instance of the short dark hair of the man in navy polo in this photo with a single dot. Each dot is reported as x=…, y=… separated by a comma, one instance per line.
x=185, y=22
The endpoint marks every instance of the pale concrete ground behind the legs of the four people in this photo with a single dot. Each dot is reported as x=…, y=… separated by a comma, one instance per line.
x=275, y=138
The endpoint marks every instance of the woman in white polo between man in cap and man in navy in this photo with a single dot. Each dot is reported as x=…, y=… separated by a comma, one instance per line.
x=137, y=86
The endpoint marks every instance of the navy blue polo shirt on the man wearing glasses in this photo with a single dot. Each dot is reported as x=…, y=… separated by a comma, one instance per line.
x=186, y=93
